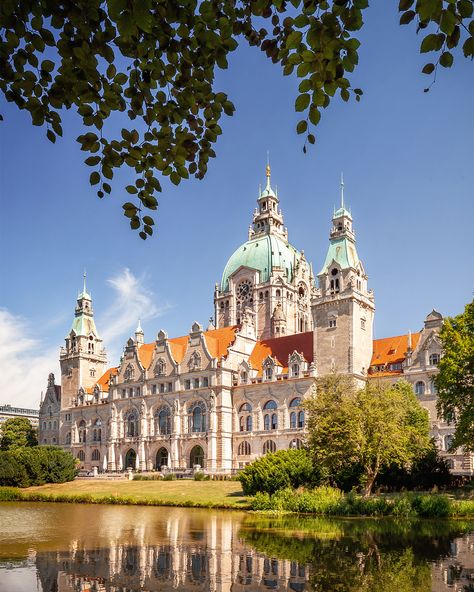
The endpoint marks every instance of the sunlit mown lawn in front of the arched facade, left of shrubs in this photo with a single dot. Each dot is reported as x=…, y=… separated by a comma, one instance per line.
x=223, y=494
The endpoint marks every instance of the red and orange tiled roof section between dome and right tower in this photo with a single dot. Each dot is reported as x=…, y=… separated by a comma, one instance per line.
x=281, y=347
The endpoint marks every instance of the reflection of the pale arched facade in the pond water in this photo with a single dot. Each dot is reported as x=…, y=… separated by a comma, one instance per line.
x=198, y=556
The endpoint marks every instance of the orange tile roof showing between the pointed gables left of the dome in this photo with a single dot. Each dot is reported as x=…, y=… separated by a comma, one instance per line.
x=218, y=342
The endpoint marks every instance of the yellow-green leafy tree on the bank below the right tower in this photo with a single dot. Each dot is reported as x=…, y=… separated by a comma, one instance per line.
x=373, y=427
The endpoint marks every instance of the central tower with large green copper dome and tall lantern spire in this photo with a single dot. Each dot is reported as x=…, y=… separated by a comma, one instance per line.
x=266, y=277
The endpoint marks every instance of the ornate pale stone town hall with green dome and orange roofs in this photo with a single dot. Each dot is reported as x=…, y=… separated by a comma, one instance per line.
x=222, y=396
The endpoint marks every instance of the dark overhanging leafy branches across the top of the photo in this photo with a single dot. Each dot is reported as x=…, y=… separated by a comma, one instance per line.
x=155, y=62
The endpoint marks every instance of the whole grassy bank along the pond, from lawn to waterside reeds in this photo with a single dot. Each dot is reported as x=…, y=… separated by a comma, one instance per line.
x=323, y=501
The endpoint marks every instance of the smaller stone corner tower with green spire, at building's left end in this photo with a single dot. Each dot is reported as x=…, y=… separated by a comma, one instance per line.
x=83, y=359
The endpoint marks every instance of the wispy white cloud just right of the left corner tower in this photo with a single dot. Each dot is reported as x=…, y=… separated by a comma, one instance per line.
x=133, y=301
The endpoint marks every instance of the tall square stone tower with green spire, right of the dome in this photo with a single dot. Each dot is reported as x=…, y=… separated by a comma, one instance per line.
x=343, y=309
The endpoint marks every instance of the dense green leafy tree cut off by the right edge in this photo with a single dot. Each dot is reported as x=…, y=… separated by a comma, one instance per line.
x=455, y=380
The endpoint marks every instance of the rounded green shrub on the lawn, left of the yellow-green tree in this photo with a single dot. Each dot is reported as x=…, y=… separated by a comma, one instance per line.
x=278, y=470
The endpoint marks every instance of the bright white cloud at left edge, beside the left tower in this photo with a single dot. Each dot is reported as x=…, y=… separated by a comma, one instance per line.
x=23, y=371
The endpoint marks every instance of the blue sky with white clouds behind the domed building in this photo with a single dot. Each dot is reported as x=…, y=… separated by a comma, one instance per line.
x=408, y=165
